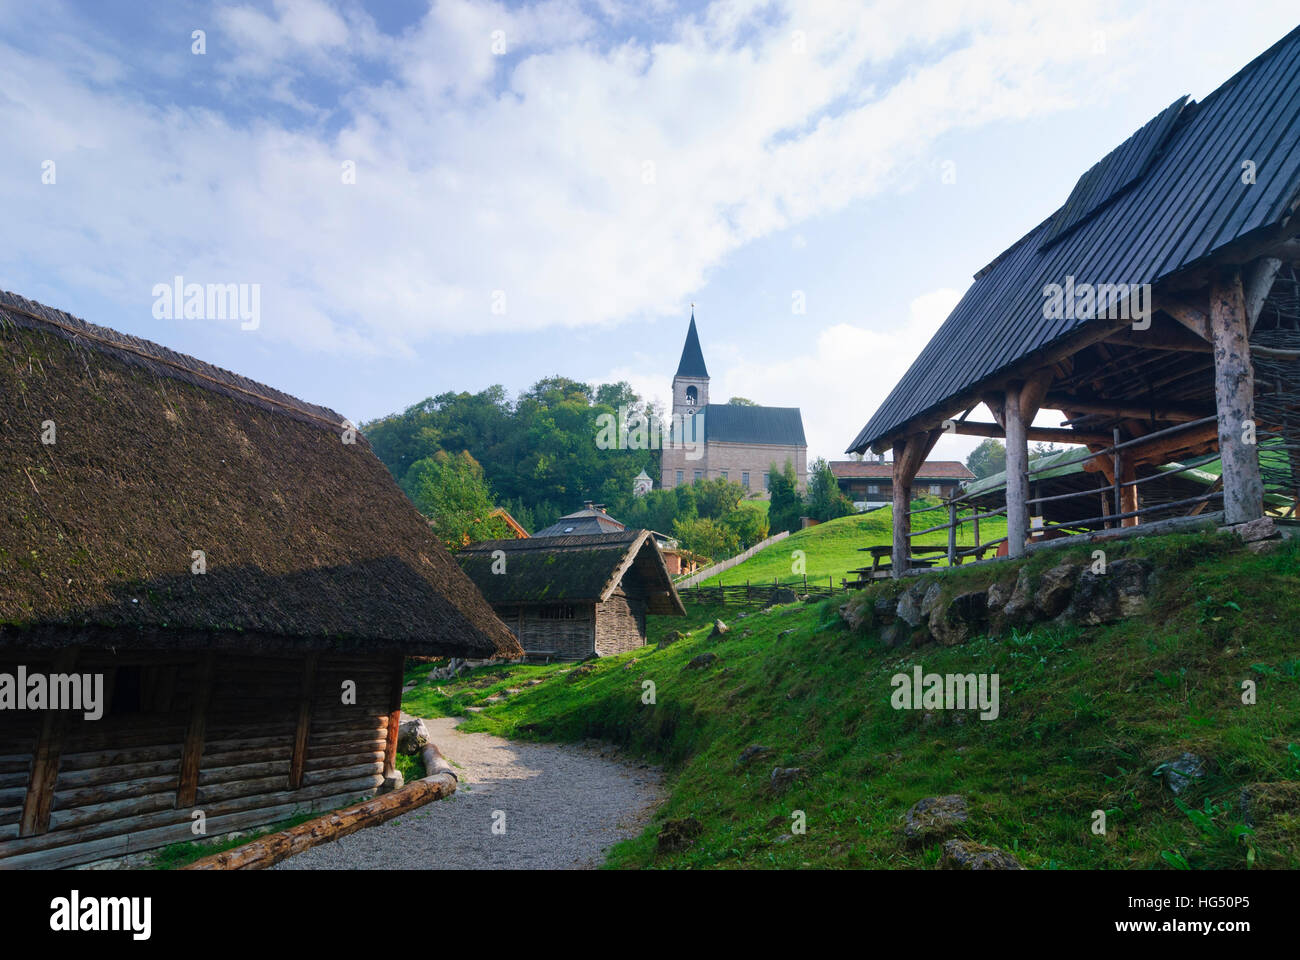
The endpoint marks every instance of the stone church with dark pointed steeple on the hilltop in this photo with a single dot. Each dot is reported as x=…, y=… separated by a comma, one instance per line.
x=738, y=443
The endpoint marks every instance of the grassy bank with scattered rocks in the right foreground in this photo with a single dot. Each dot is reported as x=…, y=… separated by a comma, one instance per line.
x=1087, y=717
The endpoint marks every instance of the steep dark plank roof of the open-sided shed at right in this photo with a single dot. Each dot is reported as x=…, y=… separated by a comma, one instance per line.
x=1159, y=205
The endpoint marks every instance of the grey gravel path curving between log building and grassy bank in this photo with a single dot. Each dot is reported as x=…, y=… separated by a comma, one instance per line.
x=565, y=806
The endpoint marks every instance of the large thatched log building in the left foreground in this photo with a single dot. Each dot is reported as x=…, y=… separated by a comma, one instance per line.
x=227, y=580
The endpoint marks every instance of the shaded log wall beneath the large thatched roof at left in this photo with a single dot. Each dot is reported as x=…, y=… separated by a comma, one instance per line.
x=226, y=734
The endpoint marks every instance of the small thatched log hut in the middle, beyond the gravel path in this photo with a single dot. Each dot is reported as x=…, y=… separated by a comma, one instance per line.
x=571, y=598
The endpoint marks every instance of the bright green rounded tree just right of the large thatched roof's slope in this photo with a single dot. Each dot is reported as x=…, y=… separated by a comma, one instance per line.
x=452, y=492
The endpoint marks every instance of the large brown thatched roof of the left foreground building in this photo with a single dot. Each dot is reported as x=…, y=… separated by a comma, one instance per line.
x=307, y=540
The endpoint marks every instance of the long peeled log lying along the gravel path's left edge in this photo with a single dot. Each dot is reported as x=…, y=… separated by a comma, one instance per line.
x=271, y=850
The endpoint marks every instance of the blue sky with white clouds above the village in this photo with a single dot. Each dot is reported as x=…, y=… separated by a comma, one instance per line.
x=435, y=196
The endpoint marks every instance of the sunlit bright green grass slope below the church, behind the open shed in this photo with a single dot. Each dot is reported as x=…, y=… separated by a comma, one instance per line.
x=833, y=548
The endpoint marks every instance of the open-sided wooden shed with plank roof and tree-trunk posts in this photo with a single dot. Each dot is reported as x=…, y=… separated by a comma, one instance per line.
x=1143, y=310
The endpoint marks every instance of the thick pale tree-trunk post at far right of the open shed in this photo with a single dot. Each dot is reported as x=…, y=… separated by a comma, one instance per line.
x=1234, y=392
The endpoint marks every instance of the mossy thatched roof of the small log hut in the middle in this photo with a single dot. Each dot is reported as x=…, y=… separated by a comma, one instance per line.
x=573, y=569
